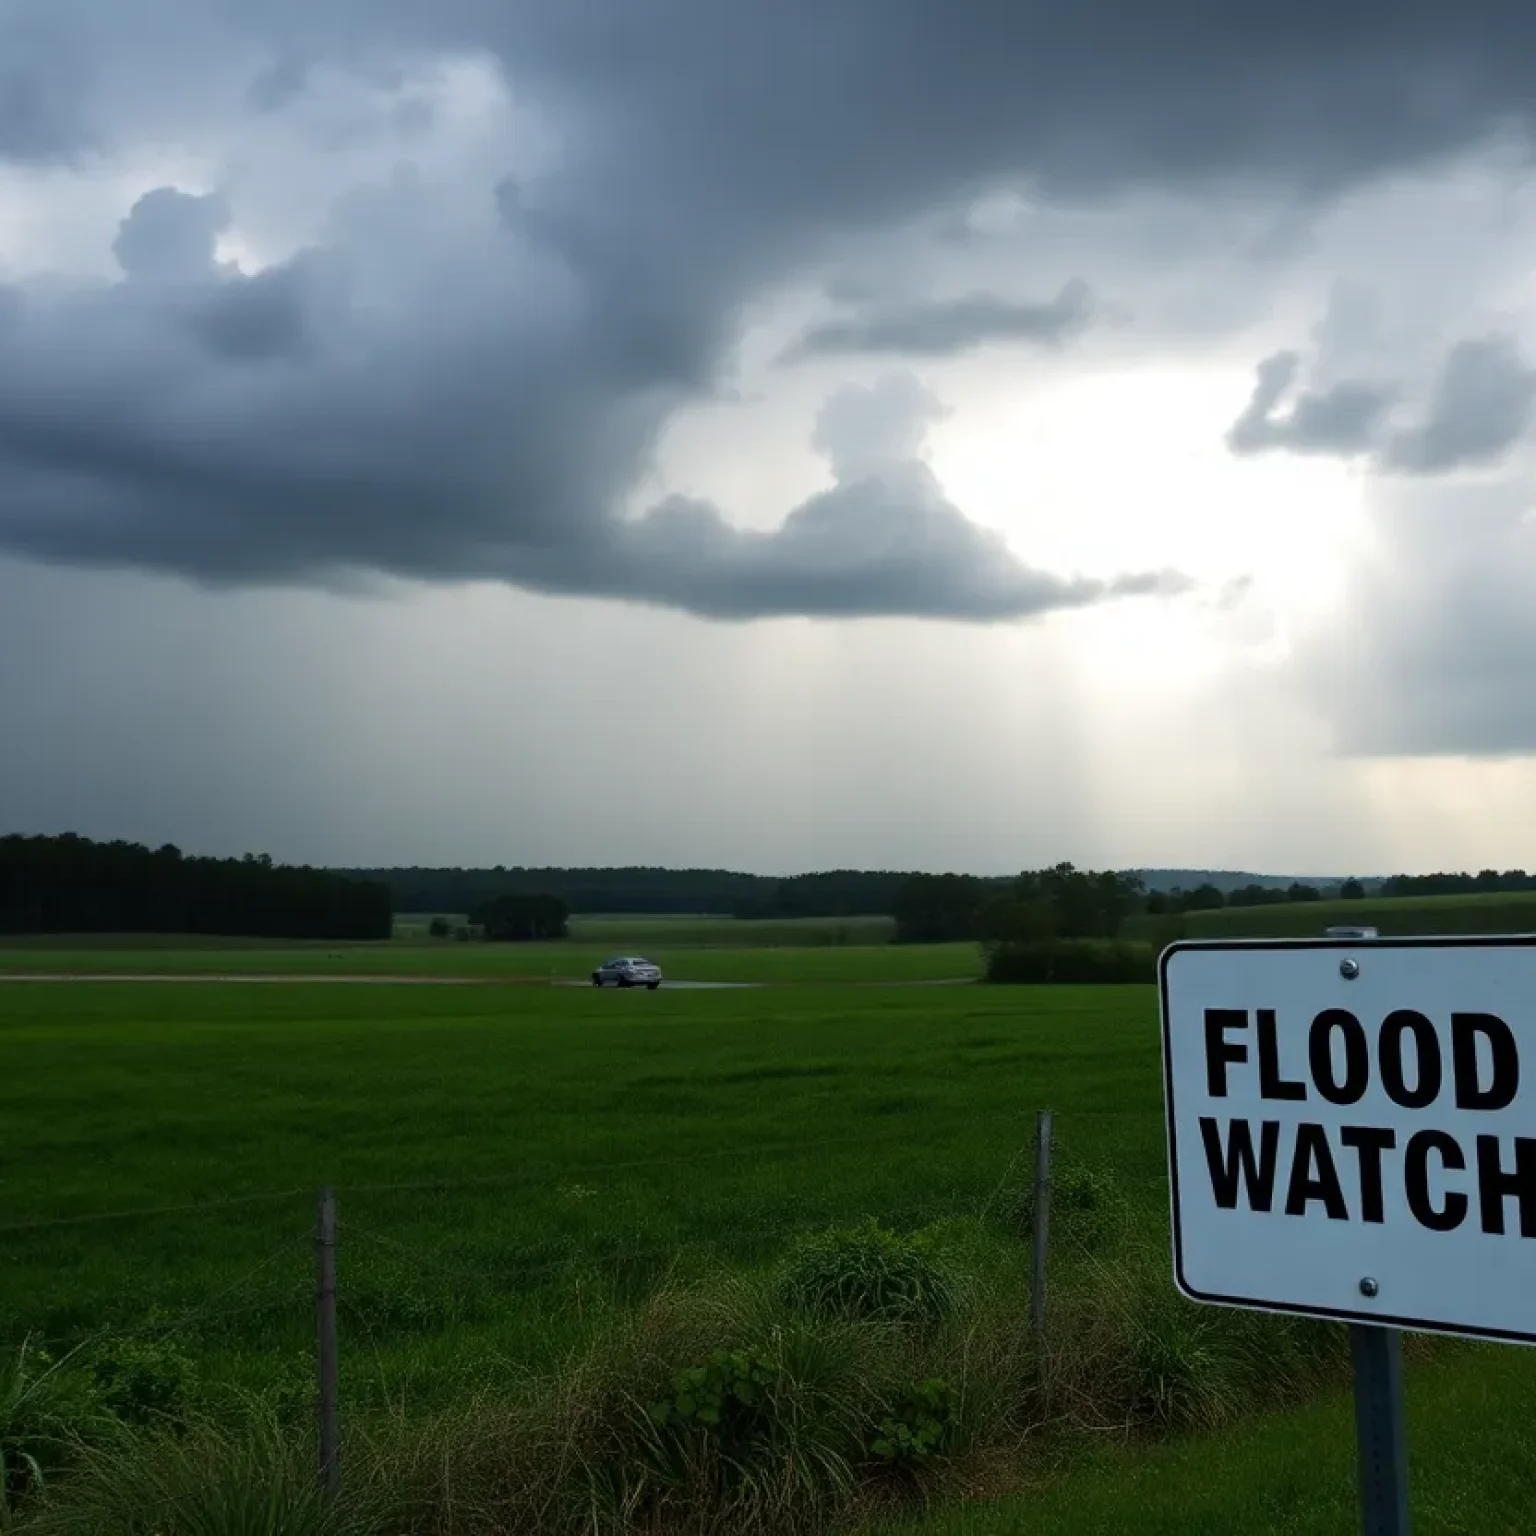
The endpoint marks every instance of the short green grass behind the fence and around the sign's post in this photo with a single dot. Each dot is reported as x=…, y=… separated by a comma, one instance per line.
x=518, y=1167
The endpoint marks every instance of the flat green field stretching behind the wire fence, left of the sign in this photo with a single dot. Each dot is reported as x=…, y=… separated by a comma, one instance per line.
x=546, y=1127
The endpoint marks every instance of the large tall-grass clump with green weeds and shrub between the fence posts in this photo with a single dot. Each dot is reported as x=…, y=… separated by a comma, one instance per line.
x=787, y=1403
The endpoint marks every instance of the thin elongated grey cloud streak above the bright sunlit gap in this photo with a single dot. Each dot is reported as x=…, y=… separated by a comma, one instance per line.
x=952, y=326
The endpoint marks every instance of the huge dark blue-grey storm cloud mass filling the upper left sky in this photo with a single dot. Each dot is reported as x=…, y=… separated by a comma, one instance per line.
x=386, y=405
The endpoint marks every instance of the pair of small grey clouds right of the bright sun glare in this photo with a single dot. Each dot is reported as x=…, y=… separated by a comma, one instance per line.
x=1480, y=406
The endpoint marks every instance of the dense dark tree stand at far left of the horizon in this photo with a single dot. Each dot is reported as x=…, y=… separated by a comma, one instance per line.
x=73, y=886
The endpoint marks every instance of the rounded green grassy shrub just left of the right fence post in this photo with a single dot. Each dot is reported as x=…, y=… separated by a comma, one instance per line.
x=869, y=1273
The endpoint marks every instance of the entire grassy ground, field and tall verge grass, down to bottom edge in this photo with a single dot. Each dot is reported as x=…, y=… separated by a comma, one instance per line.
x=552, y=1200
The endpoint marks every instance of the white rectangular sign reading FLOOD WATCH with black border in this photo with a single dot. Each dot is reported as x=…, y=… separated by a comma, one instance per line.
x=1352, y=1130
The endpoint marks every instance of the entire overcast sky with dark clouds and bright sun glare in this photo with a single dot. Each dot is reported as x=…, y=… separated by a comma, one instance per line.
x=700, y=432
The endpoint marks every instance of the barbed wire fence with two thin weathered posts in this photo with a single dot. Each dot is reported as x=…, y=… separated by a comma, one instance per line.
x=340, y=1293
